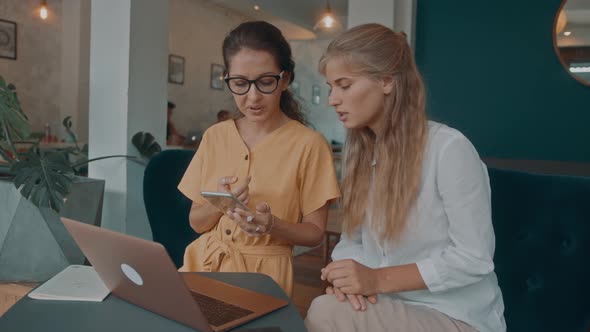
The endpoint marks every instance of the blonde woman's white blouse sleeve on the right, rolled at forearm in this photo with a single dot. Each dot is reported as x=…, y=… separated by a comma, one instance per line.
x=463, y=184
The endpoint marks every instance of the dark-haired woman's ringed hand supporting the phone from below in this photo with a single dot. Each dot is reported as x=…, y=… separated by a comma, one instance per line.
x=256, y=224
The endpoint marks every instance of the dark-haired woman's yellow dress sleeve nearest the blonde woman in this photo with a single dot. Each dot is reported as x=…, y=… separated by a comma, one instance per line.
x=318, y=177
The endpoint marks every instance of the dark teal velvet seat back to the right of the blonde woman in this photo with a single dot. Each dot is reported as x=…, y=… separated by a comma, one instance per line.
x=542, y=226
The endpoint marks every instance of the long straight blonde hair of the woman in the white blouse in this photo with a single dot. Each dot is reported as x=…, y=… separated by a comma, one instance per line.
x=379, y=53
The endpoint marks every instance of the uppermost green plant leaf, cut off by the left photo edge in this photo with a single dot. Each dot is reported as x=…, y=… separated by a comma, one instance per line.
x=14, y=124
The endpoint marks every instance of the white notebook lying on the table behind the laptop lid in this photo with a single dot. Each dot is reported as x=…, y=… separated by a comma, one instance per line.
x=74, y=283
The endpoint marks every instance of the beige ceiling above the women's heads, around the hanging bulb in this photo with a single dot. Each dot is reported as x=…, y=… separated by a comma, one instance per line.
x=295, y=18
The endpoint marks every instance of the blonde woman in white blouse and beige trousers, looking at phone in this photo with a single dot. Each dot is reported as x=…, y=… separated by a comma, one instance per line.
x=418, y=242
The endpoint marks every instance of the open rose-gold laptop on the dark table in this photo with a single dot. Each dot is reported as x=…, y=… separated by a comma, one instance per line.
x=141, y=272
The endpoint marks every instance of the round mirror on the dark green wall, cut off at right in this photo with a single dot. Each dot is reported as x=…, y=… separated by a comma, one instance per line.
x=571, y=38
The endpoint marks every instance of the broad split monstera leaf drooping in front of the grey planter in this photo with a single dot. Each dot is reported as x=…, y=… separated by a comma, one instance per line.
x=44, y=180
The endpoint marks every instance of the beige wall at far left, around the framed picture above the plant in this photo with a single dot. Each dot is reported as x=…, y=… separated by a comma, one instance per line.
x=36, y=72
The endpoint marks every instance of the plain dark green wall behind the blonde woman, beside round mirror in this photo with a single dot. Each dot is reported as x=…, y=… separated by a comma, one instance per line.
x=491, y=71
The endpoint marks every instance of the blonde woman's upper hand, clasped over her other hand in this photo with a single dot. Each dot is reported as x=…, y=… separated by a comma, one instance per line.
x=351, y=277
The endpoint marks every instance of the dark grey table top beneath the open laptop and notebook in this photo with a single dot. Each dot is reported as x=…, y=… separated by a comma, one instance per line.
x=114, y=314
